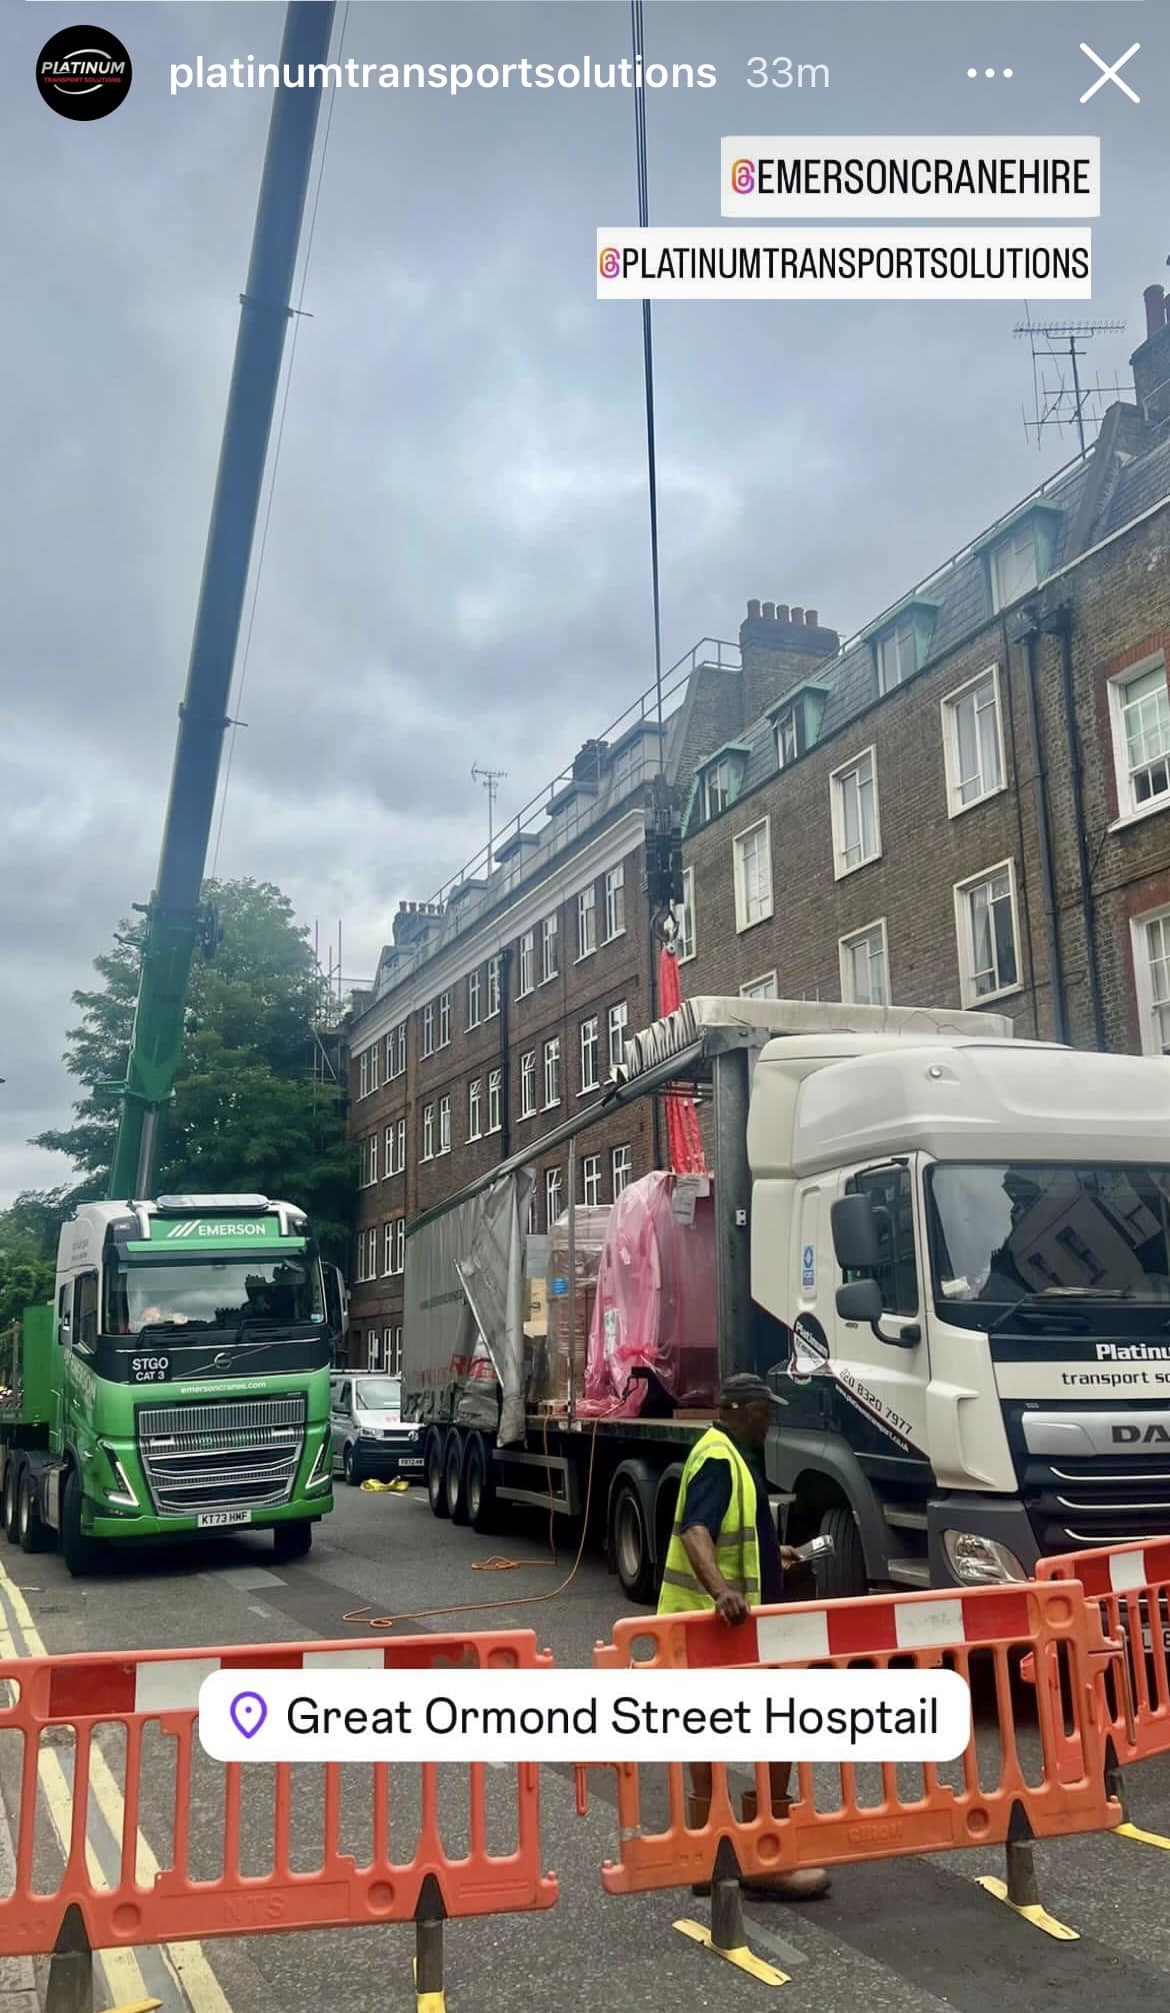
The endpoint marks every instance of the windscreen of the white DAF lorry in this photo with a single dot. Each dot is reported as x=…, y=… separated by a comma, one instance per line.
x=1002, y=1235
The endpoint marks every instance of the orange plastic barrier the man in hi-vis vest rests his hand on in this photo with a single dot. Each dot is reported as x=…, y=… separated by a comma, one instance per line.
x=1050, y=1778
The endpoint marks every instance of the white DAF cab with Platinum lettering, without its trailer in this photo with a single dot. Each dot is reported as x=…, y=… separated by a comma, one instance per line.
x=962, y=1287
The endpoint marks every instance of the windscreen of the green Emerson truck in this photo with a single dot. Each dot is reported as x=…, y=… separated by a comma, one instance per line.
x=212, y=1293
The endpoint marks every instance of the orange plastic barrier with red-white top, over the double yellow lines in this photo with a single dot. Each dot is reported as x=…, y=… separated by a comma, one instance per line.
x=325, y=1867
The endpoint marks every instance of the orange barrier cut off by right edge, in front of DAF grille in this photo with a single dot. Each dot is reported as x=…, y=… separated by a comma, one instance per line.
x=1131, y=1585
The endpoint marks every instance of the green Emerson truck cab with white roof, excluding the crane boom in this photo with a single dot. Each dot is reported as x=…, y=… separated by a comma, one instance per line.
x=178, y=1386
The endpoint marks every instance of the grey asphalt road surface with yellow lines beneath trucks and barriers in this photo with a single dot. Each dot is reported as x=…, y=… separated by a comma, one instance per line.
x=909, y=1935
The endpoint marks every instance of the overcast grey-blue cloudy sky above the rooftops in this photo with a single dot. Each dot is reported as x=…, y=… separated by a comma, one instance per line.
x=458, y=557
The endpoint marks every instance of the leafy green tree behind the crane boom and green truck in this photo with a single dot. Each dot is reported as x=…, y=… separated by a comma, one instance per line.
x=249, y=1110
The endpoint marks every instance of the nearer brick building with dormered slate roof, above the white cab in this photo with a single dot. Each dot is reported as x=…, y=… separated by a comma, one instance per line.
x=968, y=806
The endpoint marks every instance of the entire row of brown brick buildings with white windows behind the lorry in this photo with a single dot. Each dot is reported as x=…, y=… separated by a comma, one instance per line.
x=966, y=804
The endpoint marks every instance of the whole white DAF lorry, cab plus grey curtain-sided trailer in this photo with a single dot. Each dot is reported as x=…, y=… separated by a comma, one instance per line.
x=947, y=1251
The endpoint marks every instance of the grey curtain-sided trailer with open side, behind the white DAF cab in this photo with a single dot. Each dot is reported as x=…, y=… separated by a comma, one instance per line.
x=462, y=1364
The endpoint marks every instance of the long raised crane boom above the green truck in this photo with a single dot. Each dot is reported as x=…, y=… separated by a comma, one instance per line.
x=265, y=309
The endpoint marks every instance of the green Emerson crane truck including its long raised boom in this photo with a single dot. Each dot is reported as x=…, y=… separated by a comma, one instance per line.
x=180, y=1380
